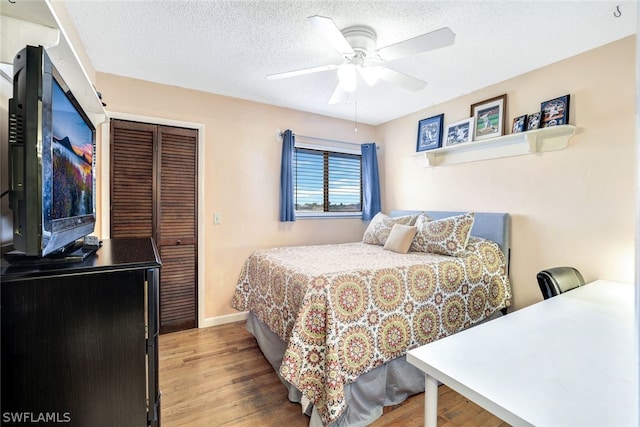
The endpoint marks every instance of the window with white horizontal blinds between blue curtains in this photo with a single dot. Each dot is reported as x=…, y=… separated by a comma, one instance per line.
x=326, y=181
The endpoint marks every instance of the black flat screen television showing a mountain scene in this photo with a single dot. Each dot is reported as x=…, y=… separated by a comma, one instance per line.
x=51, y=160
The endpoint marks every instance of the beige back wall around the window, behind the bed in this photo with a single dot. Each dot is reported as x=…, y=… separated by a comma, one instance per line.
x=240, y=174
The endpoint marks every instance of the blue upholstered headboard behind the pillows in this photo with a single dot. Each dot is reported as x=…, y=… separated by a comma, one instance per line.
x=488, y=225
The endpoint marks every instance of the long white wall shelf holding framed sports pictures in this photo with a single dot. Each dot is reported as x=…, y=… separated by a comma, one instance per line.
x=517, y=144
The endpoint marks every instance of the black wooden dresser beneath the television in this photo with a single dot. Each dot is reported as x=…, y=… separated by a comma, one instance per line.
x=80, y=339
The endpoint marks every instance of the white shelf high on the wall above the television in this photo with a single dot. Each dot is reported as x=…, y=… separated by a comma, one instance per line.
x=35, y=23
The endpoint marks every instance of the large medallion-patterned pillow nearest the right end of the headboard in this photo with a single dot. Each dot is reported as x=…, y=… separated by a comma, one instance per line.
x=447, y=236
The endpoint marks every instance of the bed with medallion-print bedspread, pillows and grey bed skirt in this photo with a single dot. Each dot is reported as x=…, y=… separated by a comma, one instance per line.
x=335, y=321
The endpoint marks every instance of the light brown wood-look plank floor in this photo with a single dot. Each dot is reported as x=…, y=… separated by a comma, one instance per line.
x=218, y=376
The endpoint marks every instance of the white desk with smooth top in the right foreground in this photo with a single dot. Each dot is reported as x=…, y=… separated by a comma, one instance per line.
x=567, y=361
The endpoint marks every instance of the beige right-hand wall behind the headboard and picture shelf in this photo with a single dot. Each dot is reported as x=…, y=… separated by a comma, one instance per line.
x=572, y=207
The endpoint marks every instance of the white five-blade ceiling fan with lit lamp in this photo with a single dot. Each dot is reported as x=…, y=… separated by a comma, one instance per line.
x=357, y=45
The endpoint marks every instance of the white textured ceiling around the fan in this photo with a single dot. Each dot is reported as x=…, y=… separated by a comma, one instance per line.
x=228, y=47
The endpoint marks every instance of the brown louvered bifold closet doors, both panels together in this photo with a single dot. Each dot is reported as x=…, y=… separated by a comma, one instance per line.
x=154, y=181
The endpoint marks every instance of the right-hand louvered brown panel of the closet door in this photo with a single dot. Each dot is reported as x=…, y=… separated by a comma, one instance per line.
x=177, y=231
